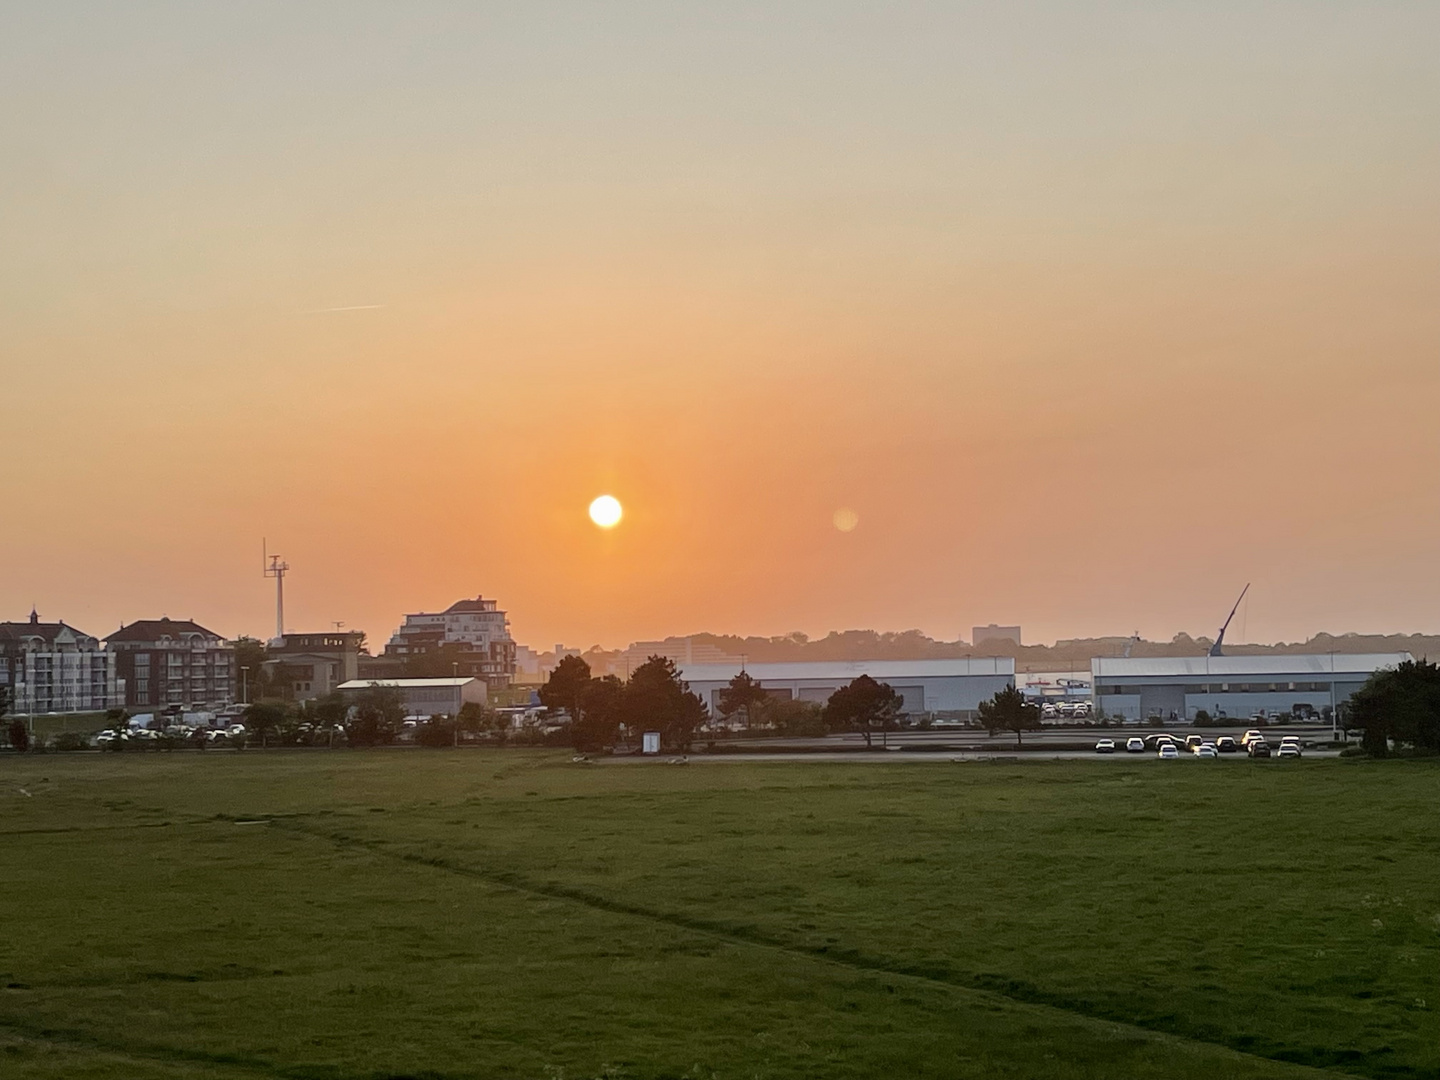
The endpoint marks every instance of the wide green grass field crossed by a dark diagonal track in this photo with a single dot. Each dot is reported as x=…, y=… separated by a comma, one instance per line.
x=513, y=915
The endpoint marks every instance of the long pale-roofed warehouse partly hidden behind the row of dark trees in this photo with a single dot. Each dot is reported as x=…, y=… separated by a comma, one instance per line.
x=954, y=688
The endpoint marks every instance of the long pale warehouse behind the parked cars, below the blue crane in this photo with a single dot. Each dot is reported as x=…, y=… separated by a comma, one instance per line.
x=1302, y=685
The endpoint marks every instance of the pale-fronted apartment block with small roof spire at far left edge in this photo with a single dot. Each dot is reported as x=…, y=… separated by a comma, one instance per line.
x=50, y=667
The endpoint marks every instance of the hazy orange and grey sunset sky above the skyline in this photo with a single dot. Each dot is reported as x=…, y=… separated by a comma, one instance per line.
x=1088, y=315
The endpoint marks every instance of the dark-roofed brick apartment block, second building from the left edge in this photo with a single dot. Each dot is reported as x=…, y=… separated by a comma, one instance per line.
x=174, y=663
